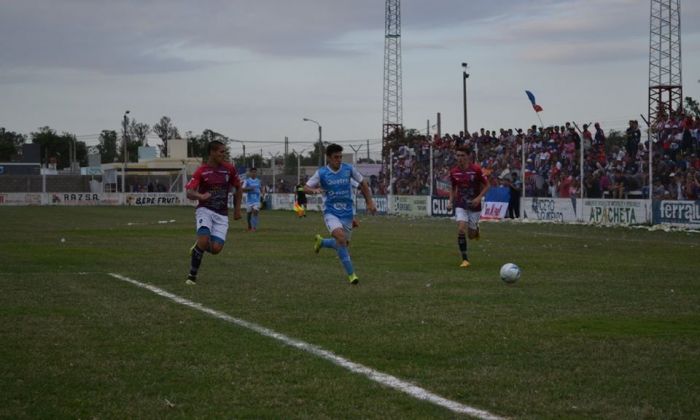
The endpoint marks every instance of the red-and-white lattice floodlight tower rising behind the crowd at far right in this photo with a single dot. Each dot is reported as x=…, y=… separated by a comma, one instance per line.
x=665, y=81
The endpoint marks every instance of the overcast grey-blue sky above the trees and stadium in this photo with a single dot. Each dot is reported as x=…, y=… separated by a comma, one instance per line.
x=253, y=69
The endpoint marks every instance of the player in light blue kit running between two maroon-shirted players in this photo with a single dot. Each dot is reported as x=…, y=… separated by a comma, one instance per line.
x=334, y=181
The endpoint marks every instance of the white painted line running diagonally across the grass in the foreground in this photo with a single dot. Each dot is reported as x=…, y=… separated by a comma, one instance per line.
x=376, y=376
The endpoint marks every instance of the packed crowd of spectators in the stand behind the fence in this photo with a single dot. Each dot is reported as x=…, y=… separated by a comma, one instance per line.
x=551, y=165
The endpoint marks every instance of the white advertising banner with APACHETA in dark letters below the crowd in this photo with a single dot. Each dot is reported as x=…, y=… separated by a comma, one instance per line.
x=615, y=212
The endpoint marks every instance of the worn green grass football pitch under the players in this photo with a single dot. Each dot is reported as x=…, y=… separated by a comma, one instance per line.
x=605, y=322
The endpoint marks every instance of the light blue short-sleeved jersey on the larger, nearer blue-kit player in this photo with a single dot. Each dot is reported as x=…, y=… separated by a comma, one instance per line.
x=338, y=198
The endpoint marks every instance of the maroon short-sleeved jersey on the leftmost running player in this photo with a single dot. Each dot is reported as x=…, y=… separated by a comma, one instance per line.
x=217, y=181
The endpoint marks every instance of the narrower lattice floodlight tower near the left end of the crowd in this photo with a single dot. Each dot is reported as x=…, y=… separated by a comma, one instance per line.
x=392, y=120
